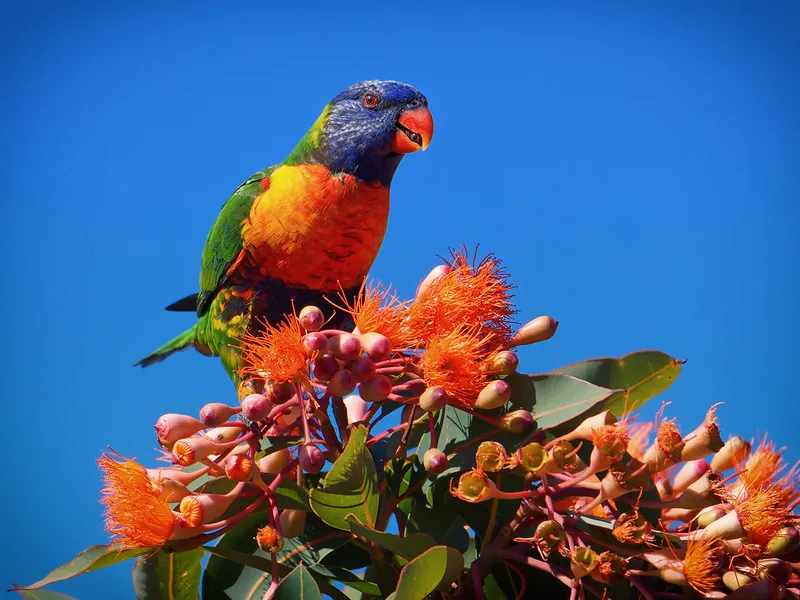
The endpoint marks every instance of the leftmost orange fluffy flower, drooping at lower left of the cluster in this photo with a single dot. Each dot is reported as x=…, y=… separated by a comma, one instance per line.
x=135, y=515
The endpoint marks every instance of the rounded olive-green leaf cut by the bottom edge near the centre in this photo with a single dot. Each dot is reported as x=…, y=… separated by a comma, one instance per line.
x=440, y=565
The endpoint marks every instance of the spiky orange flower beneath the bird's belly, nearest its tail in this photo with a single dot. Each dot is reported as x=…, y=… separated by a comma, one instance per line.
x=277, y=353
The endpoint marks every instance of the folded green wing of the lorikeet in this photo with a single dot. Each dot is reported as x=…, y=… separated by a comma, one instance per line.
x=224, y=241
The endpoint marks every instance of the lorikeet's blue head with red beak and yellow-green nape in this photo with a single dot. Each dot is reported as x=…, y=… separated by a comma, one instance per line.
x=367, y=129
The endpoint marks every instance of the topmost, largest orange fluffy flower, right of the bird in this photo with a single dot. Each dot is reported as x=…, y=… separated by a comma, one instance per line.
x=475, y=297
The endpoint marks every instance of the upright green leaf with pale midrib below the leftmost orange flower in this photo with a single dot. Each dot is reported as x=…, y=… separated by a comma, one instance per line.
x=174, y=575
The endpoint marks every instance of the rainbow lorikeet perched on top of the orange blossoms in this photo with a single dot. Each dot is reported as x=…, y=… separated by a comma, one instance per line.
x=307, y=227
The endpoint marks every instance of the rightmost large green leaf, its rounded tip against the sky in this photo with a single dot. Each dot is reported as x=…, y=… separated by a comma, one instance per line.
x=640, y=375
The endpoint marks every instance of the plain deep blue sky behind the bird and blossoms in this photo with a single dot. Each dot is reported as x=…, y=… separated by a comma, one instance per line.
x=635, y=165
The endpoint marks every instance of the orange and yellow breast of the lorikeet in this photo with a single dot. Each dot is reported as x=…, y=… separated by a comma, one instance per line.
x=313, y=230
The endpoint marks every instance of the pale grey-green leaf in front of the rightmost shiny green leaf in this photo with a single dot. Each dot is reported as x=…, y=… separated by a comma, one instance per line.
x=555, y=398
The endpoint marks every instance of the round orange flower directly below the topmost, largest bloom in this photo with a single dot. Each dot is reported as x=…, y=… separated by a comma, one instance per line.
x=457, y=362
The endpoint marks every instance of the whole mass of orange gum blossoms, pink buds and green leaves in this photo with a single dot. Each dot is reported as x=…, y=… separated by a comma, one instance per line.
x=493, y=484
